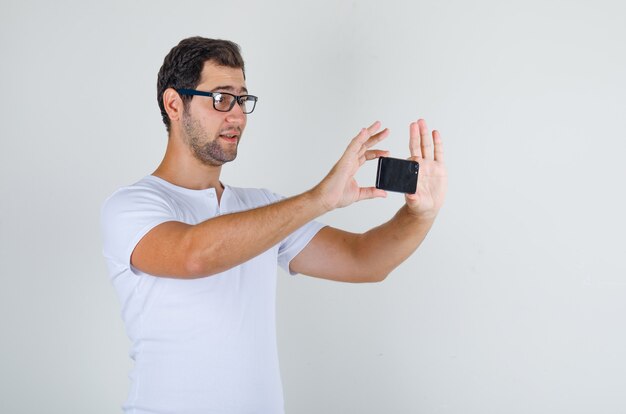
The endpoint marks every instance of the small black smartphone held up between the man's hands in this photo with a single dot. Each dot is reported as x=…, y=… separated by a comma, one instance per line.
x=397, y=175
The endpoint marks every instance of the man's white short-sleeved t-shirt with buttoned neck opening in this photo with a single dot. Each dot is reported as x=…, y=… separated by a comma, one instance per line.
x=205, y=345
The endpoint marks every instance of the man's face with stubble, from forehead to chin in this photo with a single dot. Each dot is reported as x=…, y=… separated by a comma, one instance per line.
x=213, y=136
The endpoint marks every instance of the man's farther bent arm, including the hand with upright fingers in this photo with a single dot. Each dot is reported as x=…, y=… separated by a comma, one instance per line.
x=369, y=257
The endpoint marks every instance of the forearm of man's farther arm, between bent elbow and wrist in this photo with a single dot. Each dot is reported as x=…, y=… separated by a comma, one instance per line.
x=381, y=249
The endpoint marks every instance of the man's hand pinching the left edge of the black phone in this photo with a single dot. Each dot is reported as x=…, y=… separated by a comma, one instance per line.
x=339, y=188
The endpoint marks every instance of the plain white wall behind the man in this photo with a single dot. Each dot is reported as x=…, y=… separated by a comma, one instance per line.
x=515, y=303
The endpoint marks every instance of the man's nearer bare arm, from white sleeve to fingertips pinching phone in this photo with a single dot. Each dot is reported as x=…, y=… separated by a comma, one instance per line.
x=175, y=249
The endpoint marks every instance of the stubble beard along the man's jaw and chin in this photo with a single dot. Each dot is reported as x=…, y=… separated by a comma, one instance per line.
x=206, y=150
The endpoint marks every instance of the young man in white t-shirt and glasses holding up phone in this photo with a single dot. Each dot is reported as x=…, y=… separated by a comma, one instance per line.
x=194, y=261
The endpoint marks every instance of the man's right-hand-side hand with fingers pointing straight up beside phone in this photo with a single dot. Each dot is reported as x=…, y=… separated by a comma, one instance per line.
x=432, y=182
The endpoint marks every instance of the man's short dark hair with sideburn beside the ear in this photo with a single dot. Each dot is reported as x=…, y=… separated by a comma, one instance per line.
x=182, y=67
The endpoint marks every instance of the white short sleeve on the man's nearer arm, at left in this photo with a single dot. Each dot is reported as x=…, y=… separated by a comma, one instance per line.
x=128, y=215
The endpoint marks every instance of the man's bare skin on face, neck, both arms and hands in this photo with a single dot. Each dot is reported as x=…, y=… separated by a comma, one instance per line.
x=196, y=151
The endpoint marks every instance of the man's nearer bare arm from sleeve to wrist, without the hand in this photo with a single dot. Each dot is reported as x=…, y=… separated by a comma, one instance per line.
x=179, y=250
